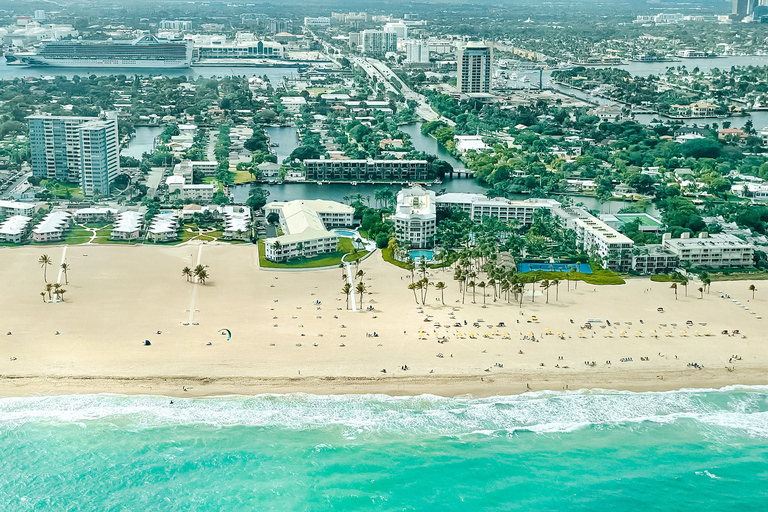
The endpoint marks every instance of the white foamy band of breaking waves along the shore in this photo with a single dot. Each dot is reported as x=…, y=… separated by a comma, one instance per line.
x=743, y=409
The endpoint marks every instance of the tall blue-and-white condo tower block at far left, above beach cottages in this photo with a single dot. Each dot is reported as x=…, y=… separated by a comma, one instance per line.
x=74, y=149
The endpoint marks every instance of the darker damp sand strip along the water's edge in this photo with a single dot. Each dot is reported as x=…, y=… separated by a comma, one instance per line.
x=446, y=386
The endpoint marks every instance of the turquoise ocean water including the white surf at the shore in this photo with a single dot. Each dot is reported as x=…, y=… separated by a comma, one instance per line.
x=586, y=450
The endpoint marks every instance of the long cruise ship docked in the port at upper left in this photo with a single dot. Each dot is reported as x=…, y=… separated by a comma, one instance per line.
x=145, y=52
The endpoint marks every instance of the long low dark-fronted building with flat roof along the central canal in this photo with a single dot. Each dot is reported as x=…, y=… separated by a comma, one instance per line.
x=401, y=171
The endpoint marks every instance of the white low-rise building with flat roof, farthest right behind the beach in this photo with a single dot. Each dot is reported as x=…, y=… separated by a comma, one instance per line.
x=711, y=251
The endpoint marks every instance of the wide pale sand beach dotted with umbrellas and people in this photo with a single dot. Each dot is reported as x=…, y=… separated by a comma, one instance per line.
x=282, y=341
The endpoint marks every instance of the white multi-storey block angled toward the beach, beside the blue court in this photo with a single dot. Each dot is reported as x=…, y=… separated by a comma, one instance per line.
x=597, y=238
